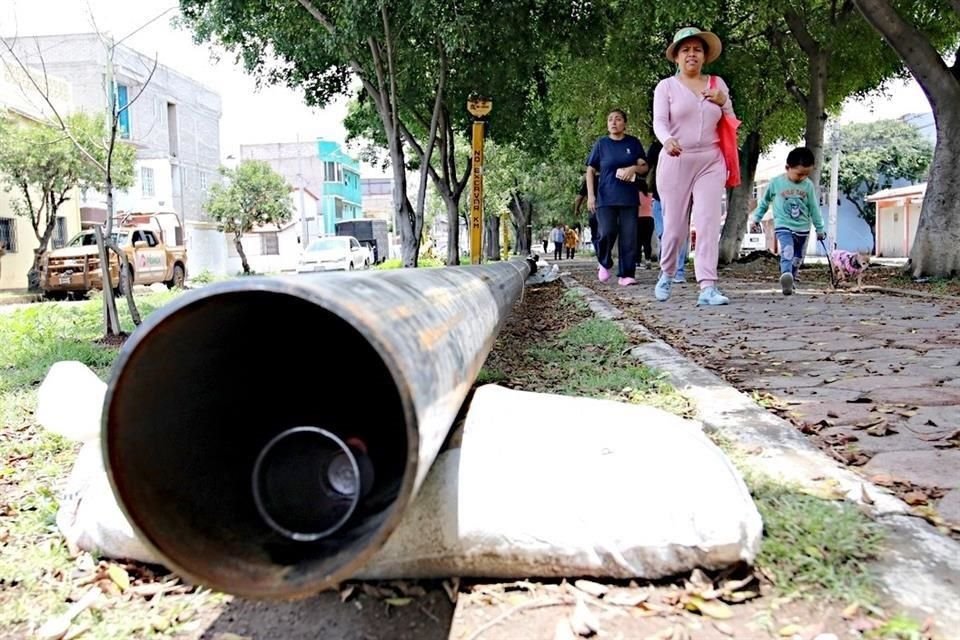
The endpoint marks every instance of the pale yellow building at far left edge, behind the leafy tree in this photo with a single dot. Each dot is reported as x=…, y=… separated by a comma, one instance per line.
x=18, y=240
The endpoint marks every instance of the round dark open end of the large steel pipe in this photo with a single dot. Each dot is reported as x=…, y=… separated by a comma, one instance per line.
x=257, y=439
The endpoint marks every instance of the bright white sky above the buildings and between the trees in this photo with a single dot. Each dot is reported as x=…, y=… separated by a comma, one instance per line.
x=272, y=114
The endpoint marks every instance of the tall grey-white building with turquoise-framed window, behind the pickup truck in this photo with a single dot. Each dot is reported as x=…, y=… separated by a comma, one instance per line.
x=171, y=119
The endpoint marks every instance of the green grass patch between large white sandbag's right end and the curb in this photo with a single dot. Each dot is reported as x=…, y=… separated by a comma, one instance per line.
x=815, y=547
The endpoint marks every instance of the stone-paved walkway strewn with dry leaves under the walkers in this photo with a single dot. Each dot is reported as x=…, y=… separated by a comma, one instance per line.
x=873, y=378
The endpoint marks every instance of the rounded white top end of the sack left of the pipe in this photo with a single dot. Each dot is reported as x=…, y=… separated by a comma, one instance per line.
x=70, y=401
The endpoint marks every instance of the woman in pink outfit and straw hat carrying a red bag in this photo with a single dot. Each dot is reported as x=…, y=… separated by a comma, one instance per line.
x=686, y=111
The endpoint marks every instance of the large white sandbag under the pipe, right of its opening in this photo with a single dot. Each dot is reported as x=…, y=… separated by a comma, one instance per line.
x=552, y=486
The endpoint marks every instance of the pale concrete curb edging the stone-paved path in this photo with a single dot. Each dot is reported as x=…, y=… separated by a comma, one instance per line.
x=920, y=570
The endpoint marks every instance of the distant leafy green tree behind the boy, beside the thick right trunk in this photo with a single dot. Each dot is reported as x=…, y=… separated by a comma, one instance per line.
x=874, y=155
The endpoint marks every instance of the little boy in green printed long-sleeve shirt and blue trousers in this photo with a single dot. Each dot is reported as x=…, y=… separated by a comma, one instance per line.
x=795, y=208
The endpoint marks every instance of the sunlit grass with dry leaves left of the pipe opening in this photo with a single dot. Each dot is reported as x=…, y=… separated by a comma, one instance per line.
x=35, y=568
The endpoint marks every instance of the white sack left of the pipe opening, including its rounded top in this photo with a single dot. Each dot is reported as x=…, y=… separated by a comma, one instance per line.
x=70, y=403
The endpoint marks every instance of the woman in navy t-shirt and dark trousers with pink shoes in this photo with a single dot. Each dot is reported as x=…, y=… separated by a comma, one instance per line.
x=616, y=161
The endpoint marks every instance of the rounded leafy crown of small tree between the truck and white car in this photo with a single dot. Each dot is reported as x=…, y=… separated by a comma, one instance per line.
x=255, y=195
